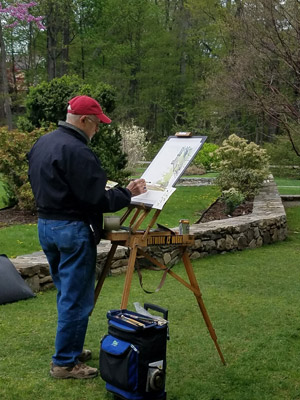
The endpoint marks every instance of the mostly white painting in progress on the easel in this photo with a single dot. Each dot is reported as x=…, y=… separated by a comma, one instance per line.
x=166, y=168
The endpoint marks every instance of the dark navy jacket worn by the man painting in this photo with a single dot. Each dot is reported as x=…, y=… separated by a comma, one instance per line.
x=68, y=181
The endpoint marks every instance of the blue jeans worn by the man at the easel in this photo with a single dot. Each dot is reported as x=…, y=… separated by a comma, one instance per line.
x=71, y=253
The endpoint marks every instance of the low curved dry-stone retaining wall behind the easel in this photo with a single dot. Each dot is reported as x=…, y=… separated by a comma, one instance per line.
x=267, y=224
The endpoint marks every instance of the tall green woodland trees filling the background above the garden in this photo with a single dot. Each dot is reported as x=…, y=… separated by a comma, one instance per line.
x=176, y=65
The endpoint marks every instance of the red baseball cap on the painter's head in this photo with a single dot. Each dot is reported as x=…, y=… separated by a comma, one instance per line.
x=85, y=105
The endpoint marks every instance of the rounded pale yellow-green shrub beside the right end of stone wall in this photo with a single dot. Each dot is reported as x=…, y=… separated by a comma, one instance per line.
x=242, y=165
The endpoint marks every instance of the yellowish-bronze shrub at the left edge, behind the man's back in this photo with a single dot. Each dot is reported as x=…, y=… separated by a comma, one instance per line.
x=13, y=165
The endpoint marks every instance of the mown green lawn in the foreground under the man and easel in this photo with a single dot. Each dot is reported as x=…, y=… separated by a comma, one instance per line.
x=252, y=298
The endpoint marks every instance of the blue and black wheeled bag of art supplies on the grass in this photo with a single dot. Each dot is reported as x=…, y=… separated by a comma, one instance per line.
x=133, y=356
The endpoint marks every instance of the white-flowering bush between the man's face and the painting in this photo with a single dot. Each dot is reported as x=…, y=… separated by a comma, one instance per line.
x=134, y=143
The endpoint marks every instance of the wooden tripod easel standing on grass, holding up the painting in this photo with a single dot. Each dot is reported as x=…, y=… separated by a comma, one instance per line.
x=135, y=240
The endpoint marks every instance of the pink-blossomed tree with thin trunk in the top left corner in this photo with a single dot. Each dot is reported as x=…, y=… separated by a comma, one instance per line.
x=10, y=16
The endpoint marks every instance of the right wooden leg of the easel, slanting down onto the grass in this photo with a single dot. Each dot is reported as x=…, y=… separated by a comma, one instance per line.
x=198, y=295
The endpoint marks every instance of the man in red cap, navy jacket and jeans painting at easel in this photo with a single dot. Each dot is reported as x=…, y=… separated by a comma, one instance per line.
x=68, y=184
